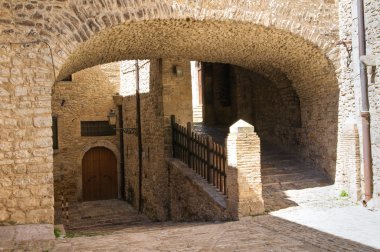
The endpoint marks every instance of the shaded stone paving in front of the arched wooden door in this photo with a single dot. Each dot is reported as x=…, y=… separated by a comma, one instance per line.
x=105, y=215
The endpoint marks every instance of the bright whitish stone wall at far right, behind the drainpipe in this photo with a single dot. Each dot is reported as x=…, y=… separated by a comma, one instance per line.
x=351, y=94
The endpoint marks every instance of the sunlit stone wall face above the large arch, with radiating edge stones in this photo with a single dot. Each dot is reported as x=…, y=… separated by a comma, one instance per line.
x=65, y=24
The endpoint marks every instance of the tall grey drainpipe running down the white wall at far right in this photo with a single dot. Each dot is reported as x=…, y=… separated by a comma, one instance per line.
x=367, y=155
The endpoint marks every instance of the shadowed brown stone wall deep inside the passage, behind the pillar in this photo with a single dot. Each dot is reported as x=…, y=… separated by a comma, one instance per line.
x=273, y=107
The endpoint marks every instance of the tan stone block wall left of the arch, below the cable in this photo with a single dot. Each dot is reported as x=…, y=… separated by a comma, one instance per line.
x=26, y=160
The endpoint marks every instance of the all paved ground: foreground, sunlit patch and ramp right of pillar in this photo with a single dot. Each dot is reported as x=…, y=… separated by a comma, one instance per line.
x=296, y=197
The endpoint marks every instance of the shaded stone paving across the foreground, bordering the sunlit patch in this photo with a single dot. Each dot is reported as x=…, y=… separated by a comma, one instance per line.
x=261, y=233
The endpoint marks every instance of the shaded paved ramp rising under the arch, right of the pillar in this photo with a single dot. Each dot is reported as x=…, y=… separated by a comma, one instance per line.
x=282, y=171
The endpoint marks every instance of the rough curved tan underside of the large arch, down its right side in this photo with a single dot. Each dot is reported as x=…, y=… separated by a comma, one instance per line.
x=279, y=56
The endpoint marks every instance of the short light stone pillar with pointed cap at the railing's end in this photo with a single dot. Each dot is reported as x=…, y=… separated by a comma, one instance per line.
x=244, y=188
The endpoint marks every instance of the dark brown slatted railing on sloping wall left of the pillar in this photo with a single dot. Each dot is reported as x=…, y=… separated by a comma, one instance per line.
x=201, y=153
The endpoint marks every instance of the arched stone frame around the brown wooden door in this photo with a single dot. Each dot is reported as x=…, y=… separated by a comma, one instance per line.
x=99, y=143
